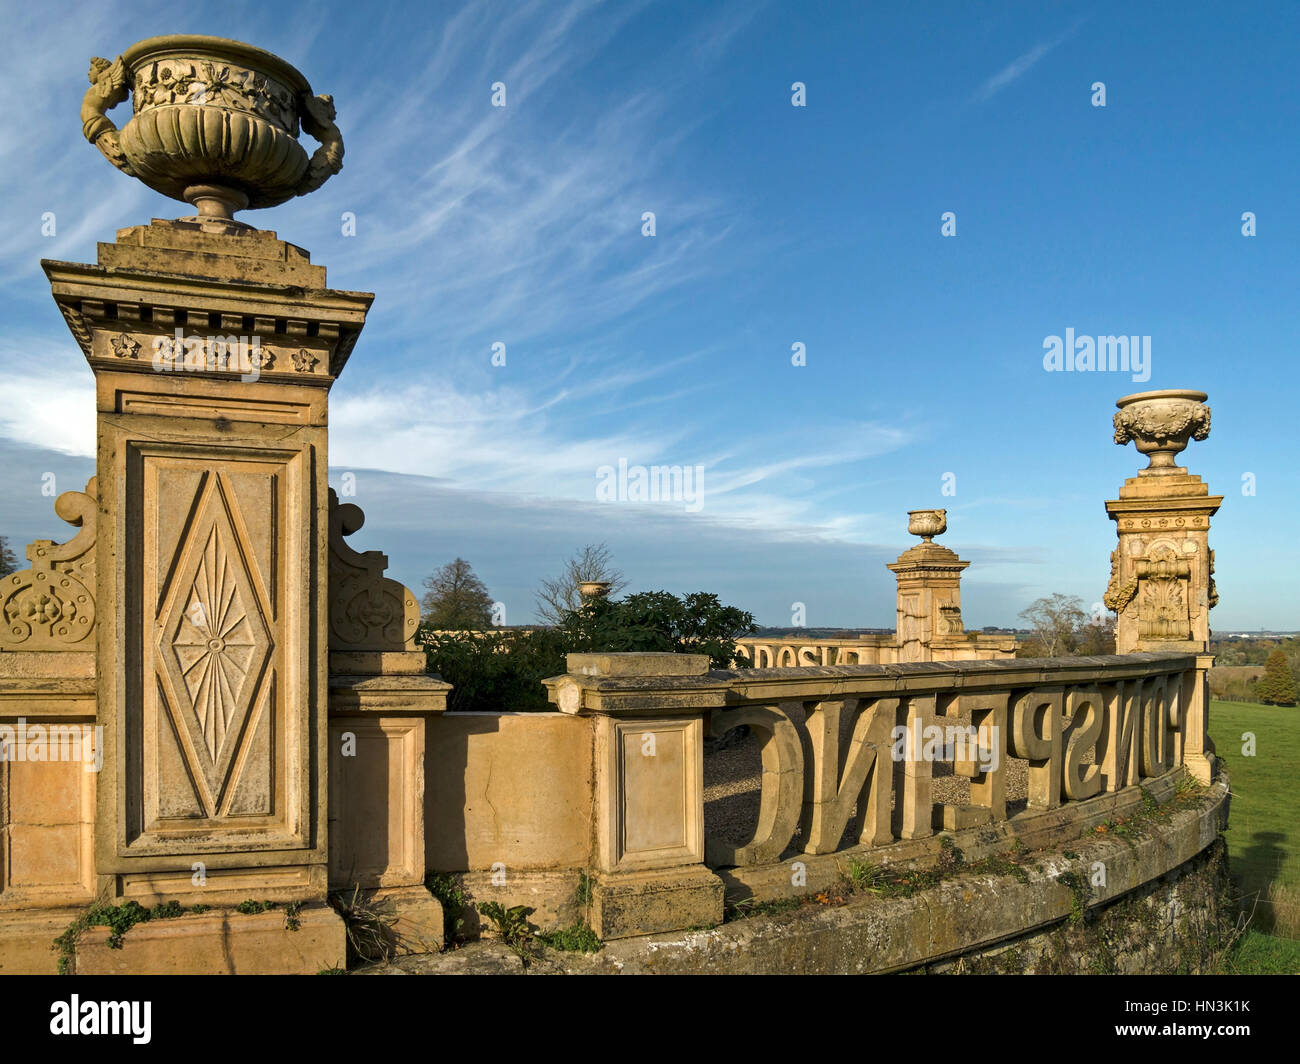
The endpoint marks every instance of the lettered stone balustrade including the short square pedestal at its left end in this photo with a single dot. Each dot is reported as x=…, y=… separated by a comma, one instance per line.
x=856, y=747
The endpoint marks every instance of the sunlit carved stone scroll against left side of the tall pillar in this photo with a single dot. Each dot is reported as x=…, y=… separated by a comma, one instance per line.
x=51, y=607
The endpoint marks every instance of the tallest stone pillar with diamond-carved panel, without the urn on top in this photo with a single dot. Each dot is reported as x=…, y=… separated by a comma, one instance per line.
x=214, y=356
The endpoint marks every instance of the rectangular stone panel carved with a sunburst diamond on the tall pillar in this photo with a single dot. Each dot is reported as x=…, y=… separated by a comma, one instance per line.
x=222, y=569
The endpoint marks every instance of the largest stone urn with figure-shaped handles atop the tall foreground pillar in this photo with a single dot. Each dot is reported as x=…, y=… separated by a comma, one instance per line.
x=215, y=124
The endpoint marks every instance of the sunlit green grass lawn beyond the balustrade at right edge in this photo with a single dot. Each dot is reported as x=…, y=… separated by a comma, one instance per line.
x=1264, y=820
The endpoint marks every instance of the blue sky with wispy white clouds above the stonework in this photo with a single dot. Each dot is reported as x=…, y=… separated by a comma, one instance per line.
x=774, y=226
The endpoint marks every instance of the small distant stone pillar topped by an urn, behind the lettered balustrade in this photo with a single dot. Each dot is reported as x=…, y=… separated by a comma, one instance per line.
x=930, y=589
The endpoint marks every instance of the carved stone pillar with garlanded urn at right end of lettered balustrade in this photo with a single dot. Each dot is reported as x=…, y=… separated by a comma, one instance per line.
x=1163, y=570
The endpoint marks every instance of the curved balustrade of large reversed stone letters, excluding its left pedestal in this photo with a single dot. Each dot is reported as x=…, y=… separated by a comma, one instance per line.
x=850, y=742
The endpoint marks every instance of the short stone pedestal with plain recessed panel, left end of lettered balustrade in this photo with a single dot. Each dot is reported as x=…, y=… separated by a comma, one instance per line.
x=649, y=832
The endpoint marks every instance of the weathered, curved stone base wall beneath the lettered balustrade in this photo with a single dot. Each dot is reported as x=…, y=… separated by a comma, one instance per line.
x=1164, y=911
